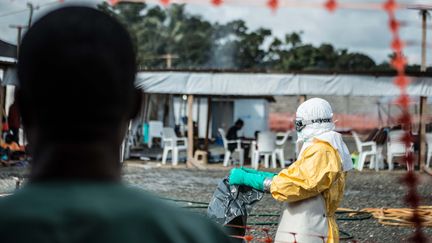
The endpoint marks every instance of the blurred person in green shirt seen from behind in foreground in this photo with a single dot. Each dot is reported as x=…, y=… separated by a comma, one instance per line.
x=78, y=62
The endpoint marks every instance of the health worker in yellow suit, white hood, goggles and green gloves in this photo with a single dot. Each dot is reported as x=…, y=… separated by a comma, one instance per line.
x=312, y=187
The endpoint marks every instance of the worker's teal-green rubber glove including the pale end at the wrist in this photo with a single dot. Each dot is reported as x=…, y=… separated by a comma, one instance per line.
x=254, y=179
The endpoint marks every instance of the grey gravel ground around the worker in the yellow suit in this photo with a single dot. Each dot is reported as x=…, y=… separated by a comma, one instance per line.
x=363, y=190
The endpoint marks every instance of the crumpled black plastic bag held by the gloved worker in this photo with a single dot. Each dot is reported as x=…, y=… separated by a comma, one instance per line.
x=231, y=204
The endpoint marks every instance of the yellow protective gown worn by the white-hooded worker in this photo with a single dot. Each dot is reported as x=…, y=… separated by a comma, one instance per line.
x=318, y=171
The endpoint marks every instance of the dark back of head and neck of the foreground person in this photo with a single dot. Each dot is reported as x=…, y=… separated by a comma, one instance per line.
x=76, y=71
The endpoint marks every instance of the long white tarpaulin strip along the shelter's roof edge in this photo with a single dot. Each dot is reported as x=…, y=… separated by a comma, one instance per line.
x=260, y=84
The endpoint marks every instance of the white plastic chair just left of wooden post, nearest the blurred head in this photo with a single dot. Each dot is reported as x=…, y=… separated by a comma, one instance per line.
x=172, y=143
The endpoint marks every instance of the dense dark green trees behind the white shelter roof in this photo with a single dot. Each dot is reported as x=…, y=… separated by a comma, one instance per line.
x=193, y=42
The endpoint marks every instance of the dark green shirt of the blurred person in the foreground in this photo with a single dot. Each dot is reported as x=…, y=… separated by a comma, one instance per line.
x=98, y=212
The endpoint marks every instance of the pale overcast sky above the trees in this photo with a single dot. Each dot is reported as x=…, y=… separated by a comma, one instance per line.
x=357, y=30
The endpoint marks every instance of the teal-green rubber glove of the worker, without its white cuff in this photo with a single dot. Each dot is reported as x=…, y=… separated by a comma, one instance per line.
x=241, y=177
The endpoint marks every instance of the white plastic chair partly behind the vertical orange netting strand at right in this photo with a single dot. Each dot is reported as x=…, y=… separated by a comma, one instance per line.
x=396, y=147
